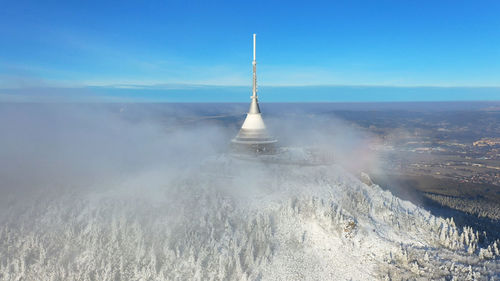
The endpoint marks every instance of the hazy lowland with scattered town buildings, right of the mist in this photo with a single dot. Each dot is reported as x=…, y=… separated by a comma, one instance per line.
x=449, y=158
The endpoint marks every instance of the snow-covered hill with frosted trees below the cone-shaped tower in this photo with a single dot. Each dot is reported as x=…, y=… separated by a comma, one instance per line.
x=232, y=218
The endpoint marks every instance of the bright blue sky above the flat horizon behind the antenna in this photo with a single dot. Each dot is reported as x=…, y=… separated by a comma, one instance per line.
x=160, y=49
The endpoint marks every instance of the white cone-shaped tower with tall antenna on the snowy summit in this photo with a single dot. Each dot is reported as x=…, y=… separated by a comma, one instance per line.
x=253, y=136
